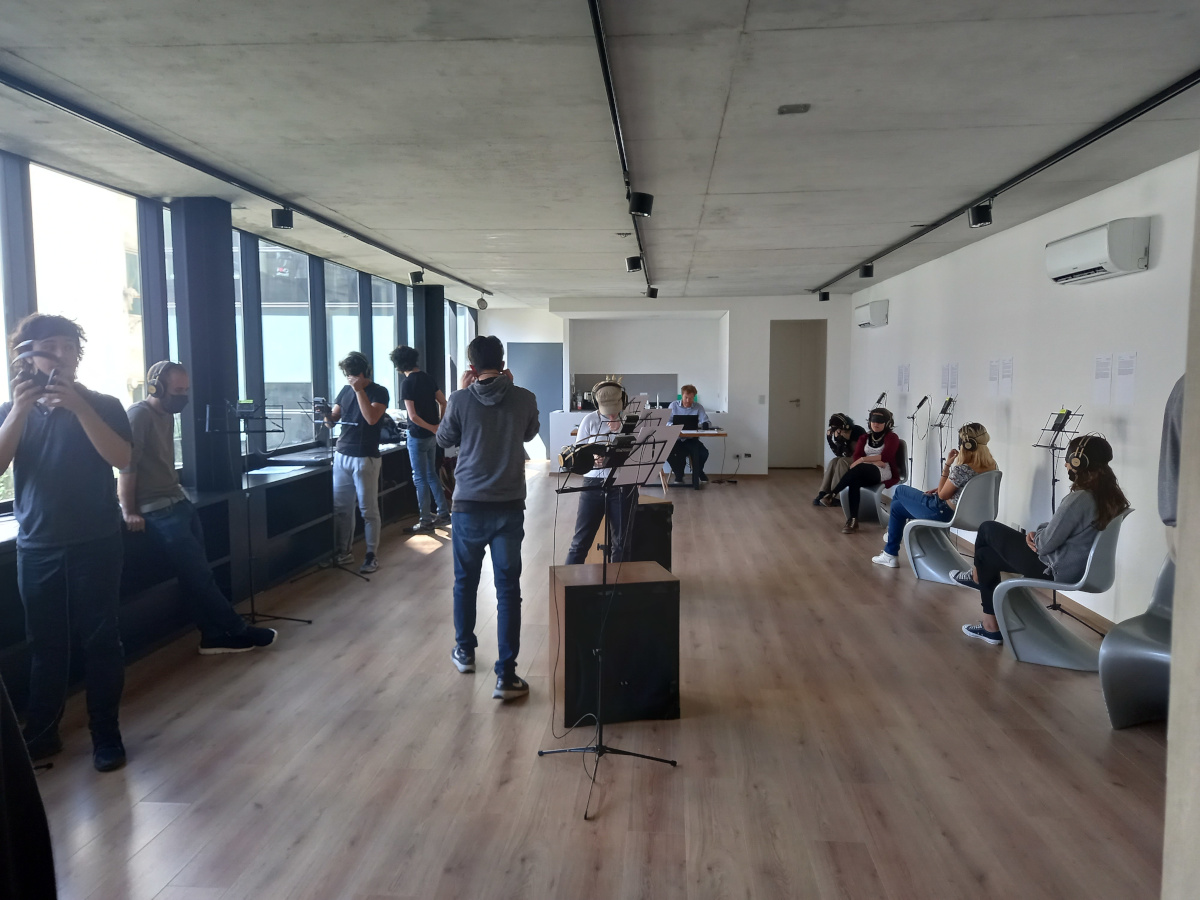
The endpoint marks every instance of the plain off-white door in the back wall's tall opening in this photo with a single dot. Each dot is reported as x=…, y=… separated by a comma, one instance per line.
x=796, y=398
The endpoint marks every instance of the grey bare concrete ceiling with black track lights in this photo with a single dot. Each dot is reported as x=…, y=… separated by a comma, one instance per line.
x=477, y=136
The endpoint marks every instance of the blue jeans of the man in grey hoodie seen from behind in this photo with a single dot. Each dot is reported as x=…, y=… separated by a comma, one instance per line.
x=472, y=533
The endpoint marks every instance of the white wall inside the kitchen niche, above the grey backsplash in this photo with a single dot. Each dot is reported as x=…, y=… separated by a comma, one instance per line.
x=687, y=347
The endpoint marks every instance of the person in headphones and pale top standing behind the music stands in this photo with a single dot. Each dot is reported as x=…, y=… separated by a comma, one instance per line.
x=596, y=429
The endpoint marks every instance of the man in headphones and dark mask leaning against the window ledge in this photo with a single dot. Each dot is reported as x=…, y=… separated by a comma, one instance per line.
x=154, y=502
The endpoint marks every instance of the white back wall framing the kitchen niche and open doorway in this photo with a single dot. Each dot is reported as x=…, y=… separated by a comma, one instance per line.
x=748, y=325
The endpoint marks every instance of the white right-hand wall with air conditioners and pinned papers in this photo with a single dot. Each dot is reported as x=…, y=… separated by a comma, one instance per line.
x=993, y=301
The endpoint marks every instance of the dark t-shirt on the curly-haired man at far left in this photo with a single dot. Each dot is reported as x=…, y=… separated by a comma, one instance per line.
x=65, y=493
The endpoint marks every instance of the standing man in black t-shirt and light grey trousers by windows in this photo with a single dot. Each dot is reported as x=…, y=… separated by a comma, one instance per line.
x=357, y=463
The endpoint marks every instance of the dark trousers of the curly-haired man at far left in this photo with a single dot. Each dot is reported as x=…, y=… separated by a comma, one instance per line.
x=74, y=592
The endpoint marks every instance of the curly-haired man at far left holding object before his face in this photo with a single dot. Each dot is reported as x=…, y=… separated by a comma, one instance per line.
x=63, y=442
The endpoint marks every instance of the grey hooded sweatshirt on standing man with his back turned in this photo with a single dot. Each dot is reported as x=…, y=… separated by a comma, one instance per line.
x=490, y=423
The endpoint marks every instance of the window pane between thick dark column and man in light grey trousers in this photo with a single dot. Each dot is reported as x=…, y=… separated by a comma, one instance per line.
x=287, y=341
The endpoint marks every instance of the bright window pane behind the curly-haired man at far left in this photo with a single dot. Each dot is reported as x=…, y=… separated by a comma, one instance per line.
x=86, y=255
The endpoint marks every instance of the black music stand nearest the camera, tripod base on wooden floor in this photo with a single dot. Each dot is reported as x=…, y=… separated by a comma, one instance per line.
x=632, y=460
